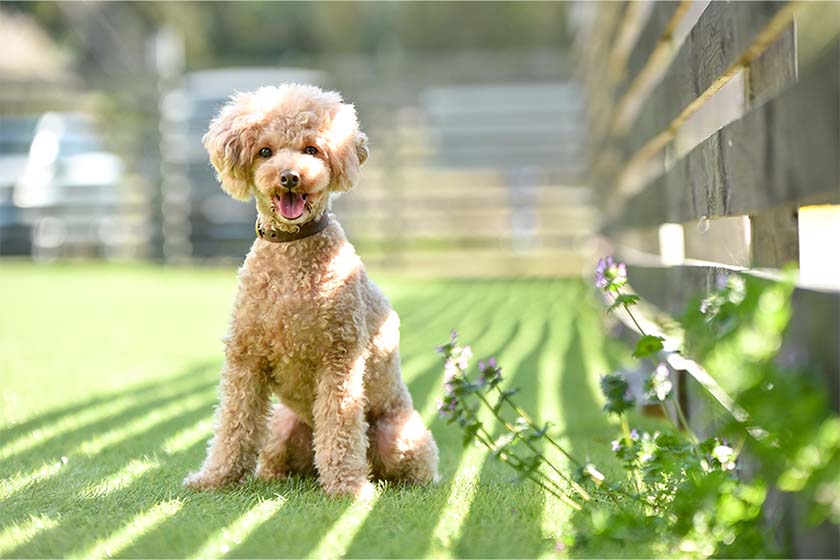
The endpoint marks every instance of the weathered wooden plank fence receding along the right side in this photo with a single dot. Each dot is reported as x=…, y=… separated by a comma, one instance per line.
x=715, y=142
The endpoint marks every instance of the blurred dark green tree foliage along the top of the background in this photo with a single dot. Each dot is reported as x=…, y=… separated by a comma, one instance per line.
x=110, y=36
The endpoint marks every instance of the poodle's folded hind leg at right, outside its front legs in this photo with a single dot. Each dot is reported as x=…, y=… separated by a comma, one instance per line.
x=403, y=449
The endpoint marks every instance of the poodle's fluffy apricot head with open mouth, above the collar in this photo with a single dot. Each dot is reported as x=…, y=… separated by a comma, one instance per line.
x=291, y=147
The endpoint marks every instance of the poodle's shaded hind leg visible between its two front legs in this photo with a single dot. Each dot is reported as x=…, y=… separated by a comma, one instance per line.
x=288, y=447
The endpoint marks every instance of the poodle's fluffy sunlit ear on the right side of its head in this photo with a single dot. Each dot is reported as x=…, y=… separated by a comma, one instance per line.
x=347, y=148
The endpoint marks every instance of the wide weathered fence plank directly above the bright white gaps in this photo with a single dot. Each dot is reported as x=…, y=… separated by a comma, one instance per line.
x=764, y=159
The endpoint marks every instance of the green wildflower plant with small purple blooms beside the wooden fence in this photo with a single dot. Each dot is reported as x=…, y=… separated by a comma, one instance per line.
x=678, y=489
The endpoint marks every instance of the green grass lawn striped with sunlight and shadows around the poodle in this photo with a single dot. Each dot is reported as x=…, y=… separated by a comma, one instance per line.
x=107, y=389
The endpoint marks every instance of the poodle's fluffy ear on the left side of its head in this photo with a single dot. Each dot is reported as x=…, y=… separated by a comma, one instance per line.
x=231, y=143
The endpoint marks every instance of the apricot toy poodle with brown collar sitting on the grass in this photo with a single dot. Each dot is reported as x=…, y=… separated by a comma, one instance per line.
x=308, y=325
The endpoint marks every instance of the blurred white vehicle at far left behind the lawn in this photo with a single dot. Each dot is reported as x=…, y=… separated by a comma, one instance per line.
x=69, y=190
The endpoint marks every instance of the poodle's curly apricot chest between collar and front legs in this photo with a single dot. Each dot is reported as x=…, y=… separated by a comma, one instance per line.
x=294, y=310
